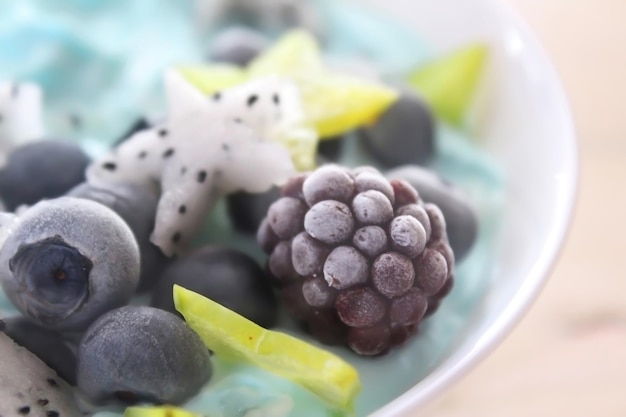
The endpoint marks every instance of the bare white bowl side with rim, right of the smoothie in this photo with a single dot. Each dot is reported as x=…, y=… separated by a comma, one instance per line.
x=530, y=132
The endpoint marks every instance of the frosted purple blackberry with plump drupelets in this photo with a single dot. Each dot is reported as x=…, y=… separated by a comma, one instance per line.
x=358, y=259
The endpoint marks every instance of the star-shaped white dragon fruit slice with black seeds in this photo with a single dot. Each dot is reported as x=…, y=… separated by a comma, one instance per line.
x=205, y=149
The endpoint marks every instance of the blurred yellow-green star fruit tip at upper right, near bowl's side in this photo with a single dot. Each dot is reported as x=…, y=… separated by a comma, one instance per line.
x=448, y=84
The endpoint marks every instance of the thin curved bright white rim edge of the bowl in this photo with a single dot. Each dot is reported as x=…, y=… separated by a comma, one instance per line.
x=452, y=371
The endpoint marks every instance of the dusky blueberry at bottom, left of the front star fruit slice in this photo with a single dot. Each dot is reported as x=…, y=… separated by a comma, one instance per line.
x=140, y=353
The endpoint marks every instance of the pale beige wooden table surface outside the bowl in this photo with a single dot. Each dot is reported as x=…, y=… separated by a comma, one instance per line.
x=568, y=356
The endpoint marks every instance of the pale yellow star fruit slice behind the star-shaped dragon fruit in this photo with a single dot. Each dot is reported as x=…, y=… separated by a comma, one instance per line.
x=333, y=103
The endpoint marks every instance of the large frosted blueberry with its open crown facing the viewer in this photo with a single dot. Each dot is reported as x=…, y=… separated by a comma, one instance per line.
x=68, y=260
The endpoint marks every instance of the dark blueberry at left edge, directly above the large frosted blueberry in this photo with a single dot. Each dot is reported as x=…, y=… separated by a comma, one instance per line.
x=39, y=170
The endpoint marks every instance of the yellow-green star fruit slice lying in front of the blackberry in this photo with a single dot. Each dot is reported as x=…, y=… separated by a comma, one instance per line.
x=233, y=337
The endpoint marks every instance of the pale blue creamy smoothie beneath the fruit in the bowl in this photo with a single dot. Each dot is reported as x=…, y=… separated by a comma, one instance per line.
x=92, y=59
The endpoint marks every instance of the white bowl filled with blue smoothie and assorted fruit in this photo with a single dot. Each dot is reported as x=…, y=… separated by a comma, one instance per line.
x=266, y=208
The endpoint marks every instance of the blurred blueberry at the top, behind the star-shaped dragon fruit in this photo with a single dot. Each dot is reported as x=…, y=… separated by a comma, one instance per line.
x=238, y=46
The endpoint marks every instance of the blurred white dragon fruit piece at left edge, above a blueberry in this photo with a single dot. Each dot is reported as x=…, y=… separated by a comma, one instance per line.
x=20, y=115
